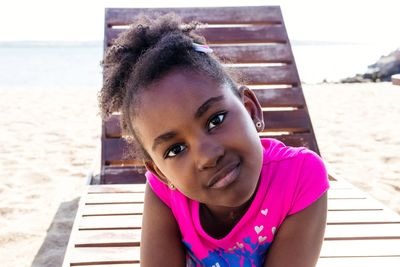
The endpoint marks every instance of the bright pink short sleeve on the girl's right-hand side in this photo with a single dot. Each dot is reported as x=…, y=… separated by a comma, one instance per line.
x=312, y=182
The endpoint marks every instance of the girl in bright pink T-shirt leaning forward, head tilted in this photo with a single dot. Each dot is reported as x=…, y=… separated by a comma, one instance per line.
x=216, y=195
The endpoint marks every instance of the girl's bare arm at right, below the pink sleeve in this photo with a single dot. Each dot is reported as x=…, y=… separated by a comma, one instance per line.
x=299, y=239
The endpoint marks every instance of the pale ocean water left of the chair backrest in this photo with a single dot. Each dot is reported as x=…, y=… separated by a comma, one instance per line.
x=50, y=64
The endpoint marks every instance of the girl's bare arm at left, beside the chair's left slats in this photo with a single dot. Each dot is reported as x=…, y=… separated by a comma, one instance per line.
x=161, y=243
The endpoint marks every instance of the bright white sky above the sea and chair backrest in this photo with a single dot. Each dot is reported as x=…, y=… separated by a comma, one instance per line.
x=350, y=21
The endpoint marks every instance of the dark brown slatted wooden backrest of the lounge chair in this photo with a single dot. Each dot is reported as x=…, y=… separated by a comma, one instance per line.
x=255, y=41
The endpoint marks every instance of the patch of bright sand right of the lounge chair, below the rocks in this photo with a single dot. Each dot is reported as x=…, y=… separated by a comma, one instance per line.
x=358, y=132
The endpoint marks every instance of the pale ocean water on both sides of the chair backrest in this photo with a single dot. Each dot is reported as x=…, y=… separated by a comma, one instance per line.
x=65, y=65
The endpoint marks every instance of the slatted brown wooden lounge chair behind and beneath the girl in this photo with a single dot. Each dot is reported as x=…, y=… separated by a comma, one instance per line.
x=106, y=232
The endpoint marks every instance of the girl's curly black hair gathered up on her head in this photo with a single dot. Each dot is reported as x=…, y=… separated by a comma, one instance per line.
x=142, y=55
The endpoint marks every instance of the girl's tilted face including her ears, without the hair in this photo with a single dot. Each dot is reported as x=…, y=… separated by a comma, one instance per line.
x=201, y=138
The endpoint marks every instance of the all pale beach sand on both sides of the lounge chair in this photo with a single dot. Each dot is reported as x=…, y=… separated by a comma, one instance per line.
x=49, y=138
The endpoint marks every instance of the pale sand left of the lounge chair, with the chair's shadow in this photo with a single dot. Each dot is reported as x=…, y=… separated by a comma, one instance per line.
x=48, y=140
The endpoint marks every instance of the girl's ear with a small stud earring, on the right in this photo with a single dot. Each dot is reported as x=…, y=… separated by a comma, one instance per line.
x=252, y=105
